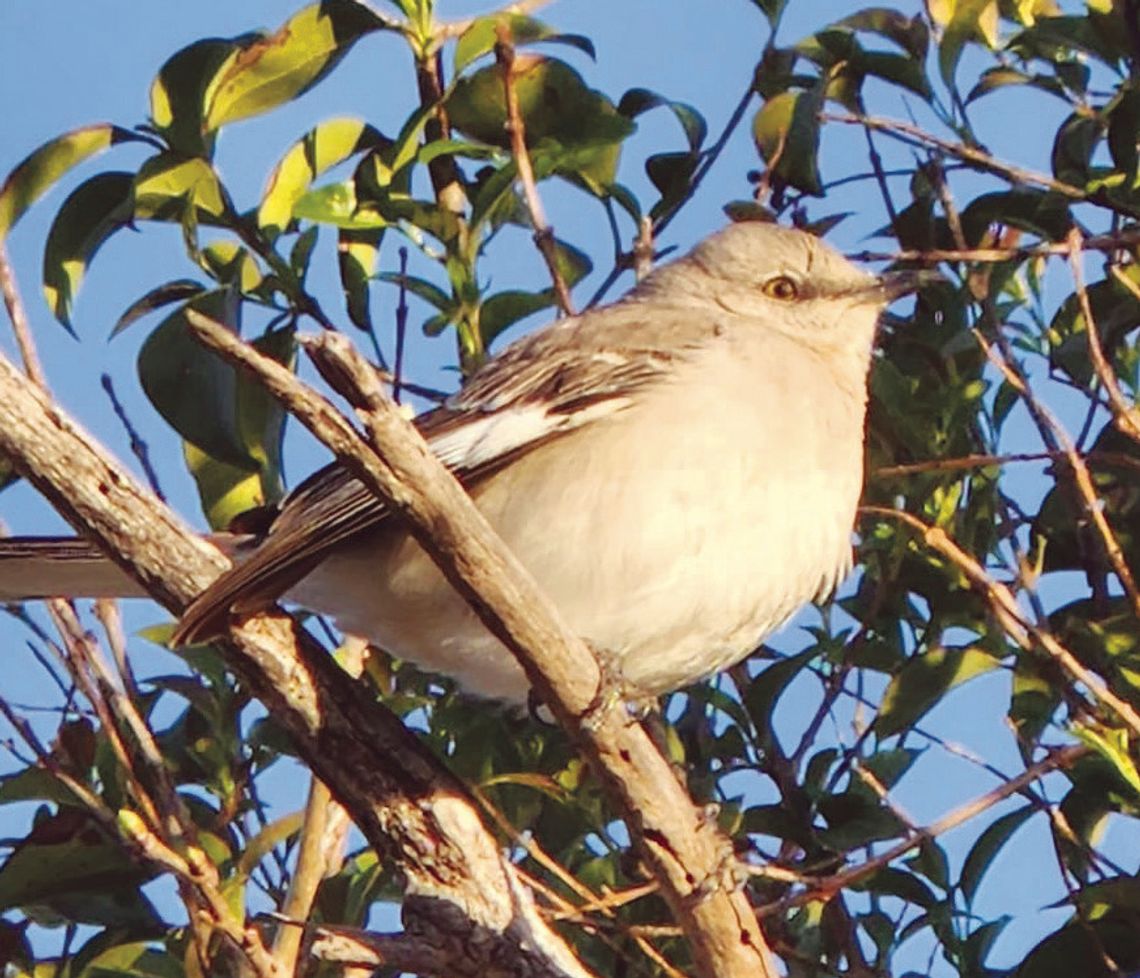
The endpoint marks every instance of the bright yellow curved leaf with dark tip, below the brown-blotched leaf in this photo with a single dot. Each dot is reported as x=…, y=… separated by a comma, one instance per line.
x=320, y=150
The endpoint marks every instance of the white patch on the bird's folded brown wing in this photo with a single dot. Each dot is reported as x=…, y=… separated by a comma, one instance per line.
x=483, y=439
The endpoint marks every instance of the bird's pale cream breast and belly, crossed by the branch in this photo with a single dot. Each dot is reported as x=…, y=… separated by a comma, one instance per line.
x=673, y=544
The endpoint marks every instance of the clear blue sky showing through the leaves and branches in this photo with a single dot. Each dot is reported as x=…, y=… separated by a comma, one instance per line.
x=67, y=64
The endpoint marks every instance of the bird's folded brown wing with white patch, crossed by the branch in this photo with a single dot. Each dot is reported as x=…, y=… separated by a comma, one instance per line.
x=536, y=390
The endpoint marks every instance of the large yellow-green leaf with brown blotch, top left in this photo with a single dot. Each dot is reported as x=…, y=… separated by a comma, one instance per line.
x=275, y=70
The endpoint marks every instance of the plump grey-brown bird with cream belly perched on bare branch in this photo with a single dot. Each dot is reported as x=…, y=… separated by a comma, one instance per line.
x=679, y=470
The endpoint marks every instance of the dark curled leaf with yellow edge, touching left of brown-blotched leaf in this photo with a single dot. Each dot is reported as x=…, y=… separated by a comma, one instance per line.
x=178, y=93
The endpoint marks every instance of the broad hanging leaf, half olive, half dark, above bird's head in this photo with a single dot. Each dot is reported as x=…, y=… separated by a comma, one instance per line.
x=787, y=133
